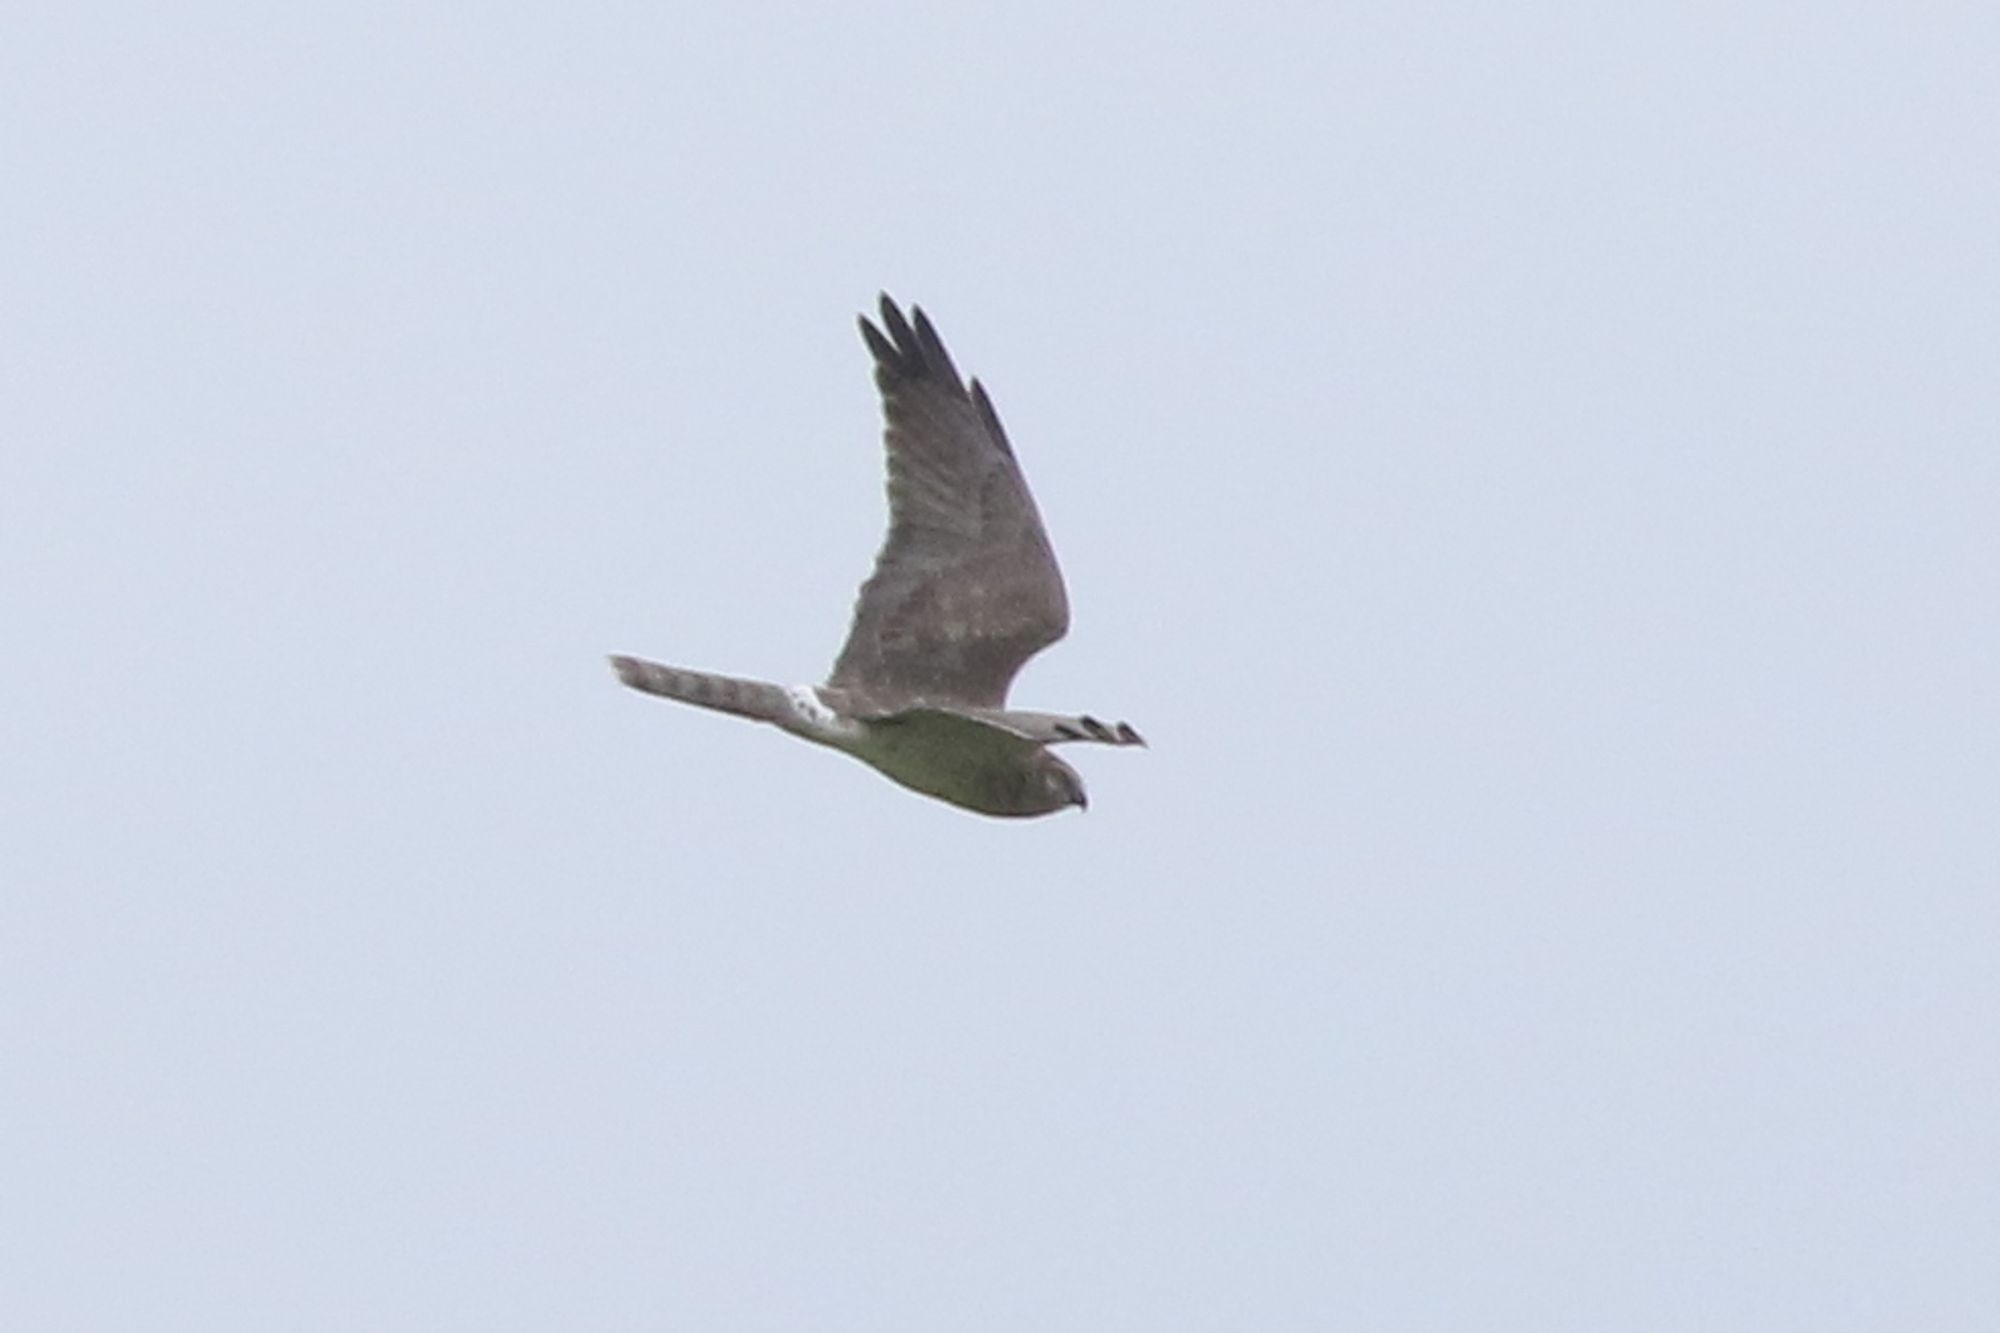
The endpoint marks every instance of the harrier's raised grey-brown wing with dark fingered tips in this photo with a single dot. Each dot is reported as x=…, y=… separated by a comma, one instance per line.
x=967, y=587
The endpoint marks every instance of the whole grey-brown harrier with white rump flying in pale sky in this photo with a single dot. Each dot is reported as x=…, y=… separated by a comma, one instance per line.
x=963, y=593
